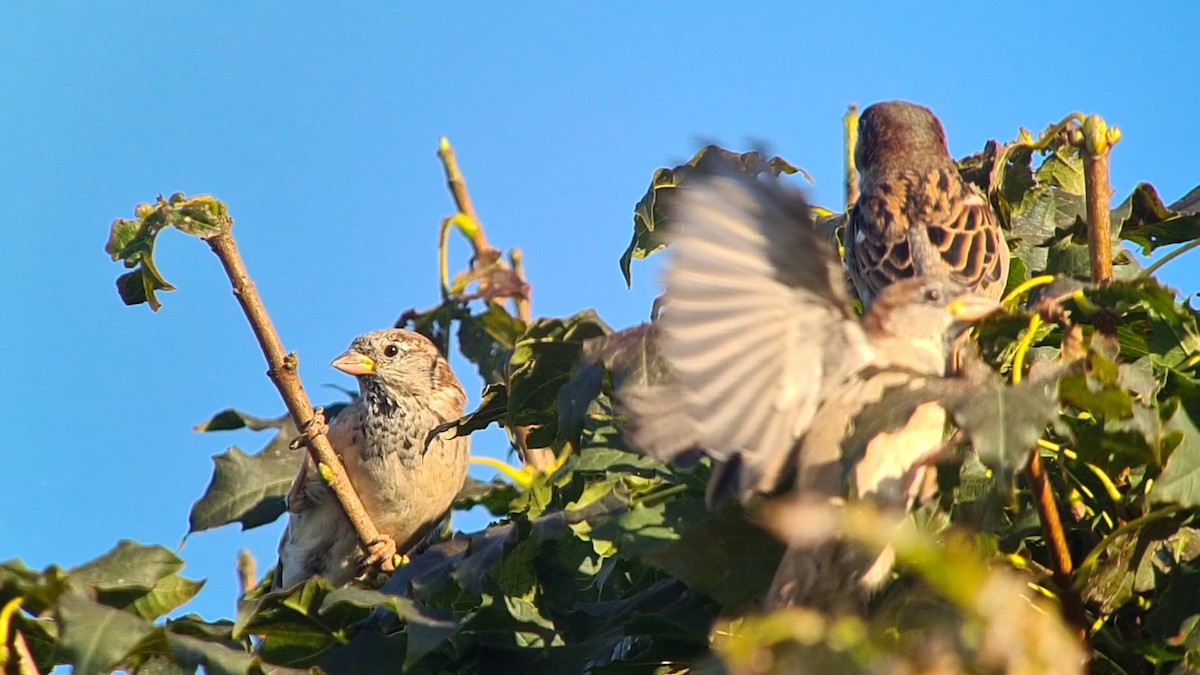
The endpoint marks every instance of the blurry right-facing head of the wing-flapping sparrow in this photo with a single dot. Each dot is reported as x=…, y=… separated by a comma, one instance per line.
x=927, y=314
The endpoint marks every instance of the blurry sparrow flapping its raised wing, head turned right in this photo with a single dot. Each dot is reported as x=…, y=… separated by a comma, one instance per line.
x=772, y=367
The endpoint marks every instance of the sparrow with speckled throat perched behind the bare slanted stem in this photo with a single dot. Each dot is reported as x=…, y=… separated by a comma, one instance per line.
x=406, y=487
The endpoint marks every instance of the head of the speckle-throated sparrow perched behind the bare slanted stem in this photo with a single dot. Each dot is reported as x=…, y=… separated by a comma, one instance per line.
x=399, y=365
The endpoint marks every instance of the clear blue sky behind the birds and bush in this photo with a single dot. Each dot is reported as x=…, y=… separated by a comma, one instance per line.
x=319, y=128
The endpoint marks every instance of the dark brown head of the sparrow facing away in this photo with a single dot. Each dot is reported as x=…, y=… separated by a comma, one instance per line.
x=897, y=135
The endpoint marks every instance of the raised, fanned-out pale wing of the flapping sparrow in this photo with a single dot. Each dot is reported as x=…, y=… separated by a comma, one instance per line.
x=757, y=327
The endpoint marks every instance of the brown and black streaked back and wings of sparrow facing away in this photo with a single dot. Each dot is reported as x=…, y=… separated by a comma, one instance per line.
x=926, y=224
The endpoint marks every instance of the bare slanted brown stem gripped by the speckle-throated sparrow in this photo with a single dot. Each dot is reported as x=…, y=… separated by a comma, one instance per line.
x=283, y=372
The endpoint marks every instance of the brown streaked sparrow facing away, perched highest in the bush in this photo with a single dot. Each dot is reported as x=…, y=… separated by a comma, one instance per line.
x=916, y=217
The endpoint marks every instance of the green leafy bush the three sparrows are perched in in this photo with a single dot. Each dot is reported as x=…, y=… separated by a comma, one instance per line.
x=605, y=561
